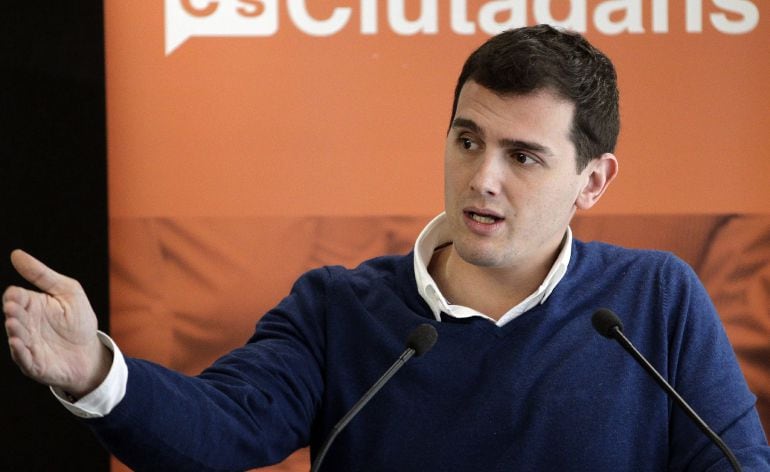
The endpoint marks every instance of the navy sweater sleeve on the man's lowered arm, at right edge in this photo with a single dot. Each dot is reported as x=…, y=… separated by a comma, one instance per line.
x=704, y=370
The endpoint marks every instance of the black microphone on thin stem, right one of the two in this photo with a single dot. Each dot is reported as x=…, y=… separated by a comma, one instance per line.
x=609, y=325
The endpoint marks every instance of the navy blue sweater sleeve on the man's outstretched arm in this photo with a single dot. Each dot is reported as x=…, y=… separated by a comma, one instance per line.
x=252, y=407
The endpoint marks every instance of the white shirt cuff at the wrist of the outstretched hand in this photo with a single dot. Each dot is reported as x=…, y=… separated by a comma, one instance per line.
x=107, y=395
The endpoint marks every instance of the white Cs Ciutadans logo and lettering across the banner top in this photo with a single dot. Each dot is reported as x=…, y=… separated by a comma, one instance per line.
x=189, y=18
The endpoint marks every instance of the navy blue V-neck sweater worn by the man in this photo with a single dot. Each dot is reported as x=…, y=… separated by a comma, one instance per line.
x=544, y=392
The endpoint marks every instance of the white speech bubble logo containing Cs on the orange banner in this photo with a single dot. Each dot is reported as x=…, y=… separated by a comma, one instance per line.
x=188, y=18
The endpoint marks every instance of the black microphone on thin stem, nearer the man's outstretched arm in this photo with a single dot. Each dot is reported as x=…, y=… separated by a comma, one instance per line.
x=420, y=341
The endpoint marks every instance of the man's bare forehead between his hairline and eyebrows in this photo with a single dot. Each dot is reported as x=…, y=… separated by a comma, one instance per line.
x=540, y=113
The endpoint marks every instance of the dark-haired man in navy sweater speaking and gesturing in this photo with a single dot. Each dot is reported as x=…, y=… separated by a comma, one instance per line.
x=518, y=379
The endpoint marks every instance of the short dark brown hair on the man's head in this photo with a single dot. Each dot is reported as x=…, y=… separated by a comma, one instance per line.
x=529, y=59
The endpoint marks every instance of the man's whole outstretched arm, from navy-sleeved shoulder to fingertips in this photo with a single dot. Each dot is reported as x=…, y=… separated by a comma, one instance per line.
x=252, y=408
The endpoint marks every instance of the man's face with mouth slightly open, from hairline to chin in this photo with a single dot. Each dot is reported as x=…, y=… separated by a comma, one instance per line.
x=511, y=183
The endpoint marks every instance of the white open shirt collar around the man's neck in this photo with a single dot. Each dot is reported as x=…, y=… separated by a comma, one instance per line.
x=435, y=235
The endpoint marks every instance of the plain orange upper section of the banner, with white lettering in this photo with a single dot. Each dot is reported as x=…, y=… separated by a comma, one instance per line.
x=301, y=107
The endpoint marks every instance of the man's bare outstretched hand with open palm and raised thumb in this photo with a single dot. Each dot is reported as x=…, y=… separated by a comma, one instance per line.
x=52, y=333
